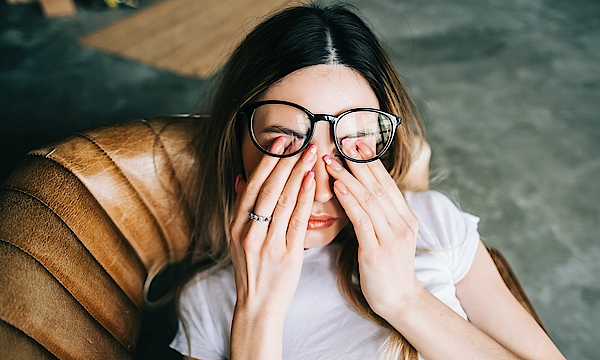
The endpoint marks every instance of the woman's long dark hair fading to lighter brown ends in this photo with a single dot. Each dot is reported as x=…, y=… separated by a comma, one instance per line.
x=292, y=39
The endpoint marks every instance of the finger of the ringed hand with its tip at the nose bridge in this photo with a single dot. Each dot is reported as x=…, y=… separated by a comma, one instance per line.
x=288, y=198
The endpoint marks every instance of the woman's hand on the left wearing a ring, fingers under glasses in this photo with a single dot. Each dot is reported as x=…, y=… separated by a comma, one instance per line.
x=267, y=256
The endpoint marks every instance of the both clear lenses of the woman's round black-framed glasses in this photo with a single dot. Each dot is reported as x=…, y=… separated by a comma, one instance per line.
x=271, y=121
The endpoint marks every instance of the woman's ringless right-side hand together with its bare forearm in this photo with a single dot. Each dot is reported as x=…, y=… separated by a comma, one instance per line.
x=387, y=230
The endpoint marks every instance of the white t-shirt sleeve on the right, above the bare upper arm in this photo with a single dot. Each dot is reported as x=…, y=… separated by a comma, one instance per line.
x=446, y=230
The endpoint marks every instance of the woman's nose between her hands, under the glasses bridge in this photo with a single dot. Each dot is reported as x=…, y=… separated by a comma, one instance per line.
x=325, y=146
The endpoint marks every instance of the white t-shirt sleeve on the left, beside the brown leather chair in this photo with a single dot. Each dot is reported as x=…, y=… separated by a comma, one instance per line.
x=198, y=335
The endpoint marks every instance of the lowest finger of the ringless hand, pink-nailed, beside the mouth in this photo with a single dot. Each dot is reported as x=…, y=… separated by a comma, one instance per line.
x=363, y=227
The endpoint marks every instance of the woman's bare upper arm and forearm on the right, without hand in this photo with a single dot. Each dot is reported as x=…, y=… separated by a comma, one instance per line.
x=499, y=326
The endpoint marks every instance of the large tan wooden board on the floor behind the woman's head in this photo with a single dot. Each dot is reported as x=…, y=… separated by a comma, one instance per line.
x=188, y=37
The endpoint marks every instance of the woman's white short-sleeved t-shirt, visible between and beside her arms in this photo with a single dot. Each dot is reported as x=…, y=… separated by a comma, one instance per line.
x=320, y=324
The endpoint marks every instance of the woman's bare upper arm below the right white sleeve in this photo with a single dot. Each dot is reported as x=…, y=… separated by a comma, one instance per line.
x=491, y=307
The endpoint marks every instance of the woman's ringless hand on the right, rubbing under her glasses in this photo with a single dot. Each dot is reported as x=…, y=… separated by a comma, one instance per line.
x=386, y=230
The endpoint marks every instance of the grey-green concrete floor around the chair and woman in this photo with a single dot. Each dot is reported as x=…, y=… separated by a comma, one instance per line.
x=509, y=91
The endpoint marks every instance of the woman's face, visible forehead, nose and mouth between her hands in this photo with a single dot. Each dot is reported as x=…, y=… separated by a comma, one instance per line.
x=322, y=89
